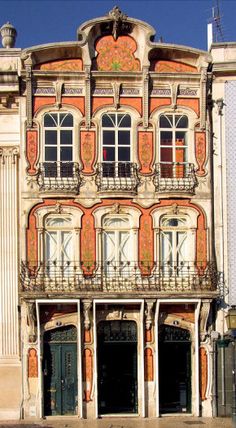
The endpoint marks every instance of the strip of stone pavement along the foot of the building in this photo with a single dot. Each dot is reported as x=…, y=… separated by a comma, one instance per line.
x=109, y=422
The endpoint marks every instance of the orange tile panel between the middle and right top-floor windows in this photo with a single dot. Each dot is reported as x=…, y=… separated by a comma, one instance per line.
x=145, y=151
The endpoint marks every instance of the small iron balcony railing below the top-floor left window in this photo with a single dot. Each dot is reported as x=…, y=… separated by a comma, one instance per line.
x=60, y=176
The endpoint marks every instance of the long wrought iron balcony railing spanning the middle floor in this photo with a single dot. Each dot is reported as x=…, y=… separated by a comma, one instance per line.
x=57, y=277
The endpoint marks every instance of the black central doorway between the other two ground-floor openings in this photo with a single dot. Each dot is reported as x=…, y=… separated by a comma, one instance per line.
x=117, y=367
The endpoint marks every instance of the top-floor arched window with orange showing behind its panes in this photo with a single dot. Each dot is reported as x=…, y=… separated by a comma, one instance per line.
x=173, y=137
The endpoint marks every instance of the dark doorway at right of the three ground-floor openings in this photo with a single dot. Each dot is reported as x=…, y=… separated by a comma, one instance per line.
x=174, y=370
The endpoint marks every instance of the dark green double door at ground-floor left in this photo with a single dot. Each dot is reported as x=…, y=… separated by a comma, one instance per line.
x=60, y=371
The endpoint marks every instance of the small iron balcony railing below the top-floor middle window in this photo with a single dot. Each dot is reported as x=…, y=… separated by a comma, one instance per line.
x=117, y=176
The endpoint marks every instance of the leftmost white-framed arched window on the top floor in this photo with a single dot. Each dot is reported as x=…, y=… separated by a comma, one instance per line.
x=58, y=144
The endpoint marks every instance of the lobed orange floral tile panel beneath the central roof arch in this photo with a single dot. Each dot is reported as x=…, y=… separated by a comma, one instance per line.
x=116, y=55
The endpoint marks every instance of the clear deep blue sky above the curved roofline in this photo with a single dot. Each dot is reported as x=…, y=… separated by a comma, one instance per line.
x=177, y=21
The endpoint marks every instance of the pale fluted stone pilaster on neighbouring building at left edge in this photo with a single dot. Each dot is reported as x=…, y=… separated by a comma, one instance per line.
x=9, y=343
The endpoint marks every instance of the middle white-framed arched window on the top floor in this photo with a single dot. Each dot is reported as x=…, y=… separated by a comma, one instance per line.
x=116, y=144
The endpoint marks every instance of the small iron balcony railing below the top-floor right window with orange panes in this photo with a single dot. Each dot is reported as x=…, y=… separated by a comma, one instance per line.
x=175, y=177
